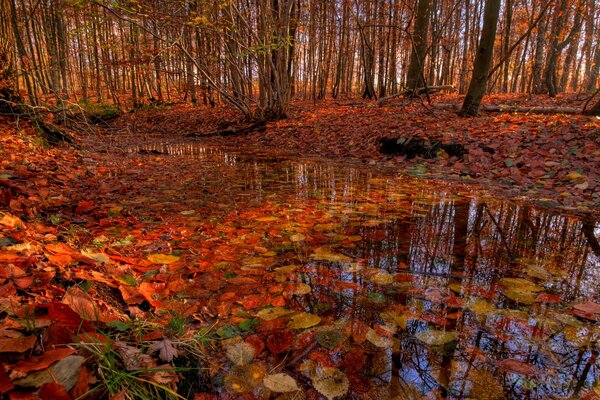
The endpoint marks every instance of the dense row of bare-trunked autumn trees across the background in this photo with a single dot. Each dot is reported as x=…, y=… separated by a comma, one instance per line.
x=258, y=54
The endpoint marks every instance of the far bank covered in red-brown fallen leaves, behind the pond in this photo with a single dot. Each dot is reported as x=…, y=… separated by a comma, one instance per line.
x=550, y=159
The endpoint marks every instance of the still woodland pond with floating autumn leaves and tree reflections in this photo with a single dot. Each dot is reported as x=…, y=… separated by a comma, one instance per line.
x=355, y=283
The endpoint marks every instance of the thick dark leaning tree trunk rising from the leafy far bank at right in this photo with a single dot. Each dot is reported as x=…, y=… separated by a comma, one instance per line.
x=483, y=59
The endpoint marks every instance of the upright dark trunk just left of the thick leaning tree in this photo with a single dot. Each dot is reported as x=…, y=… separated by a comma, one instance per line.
x=414, y=78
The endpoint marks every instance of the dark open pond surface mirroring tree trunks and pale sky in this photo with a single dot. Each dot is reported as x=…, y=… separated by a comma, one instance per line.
x=441, y=240
